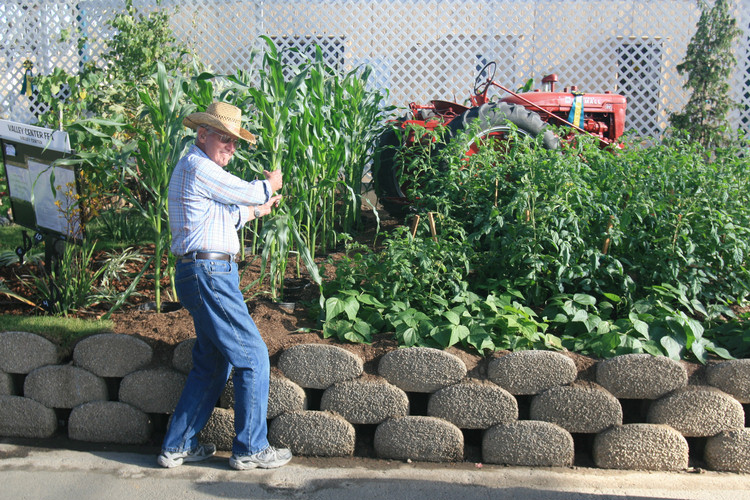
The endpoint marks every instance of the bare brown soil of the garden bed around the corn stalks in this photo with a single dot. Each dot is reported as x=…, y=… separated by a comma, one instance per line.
x=280, y=327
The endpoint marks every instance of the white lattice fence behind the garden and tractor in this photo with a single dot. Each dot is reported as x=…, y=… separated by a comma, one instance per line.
x=419, y=50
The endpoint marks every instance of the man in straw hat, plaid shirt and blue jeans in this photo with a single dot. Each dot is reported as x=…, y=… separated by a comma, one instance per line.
x=207, y=206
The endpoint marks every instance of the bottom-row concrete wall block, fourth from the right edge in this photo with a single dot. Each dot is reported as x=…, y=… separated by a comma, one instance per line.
x=426, y=439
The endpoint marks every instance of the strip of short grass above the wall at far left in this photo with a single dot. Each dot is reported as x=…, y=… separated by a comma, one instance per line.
x=62, y=331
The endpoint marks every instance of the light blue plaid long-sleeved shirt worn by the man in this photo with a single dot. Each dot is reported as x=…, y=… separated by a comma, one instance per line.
x=207, y=205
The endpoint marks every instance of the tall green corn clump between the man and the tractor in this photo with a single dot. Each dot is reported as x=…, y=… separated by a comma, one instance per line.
x=316, y=127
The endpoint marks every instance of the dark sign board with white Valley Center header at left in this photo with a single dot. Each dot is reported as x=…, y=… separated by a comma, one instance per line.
x=43, y=194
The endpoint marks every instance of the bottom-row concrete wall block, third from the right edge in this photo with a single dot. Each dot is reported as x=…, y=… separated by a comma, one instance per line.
x=529, y=443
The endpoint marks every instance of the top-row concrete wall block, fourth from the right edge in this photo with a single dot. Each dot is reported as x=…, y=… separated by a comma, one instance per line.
x=421, y=369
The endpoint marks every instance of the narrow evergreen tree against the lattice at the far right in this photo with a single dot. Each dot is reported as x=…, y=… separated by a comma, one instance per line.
x=709, y=63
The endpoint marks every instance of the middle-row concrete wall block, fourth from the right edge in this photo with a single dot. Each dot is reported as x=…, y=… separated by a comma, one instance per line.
x=365, y=401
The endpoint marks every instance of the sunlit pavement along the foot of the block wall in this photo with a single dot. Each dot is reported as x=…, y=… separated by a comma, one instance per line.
x=32, y=472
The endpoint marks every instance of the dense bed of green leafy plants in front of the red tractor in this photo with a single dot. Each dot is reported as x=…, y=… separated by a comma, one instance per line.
x=599, y=253
